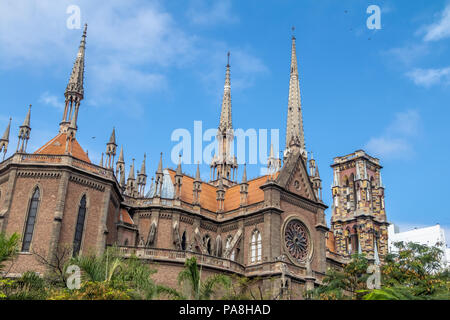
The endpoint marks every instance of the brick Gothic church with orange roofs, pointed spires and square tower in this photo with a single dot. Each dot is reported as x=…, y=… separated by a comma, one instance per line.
x=272, y=227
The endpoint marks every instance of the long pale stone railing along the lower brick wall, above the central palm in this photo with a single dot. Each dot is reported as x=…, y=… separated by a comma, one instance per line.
x=181, y=256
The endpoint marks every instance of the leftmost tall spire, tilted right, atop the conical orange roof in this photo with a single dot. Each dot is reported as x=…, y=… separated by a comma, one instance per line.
x=74, y=91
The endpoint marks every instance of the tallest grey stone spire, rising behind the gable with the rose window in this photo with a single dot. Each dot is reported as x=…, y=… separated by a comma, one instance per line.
x=294, y=127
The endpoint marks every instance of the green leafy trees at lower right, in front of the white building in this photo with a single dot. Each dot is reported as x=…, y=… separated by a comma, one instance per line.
x=412, y=273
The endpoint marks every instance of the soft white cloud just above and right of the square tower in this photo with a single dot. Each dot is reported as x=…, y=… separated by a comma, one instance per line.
x=396, y=140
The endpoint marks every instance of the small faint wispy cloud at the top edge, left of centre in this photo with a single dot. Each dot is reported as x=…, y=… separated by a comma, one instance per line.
x=218, y=12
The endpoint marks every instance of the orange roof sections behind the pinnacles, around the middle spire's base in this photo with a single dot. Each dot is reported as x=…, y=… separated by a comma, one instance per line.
x=232, y=195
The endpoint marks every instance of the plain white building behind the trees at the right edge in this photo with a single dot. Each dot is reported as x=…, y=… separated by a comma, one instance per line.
x=429, y=236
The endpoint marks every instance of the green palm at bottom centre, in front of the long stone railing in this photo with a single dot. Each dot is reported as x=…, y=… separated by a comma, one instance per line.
x=191, y=277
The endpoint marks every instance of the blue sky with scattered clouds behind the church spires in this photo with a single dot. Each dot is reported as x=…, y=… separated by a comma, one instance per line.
x=156, y=66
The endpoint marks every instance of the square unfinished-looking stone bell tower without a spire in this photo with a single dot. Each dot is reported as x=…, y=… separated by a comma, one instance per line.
x=358, y=220
